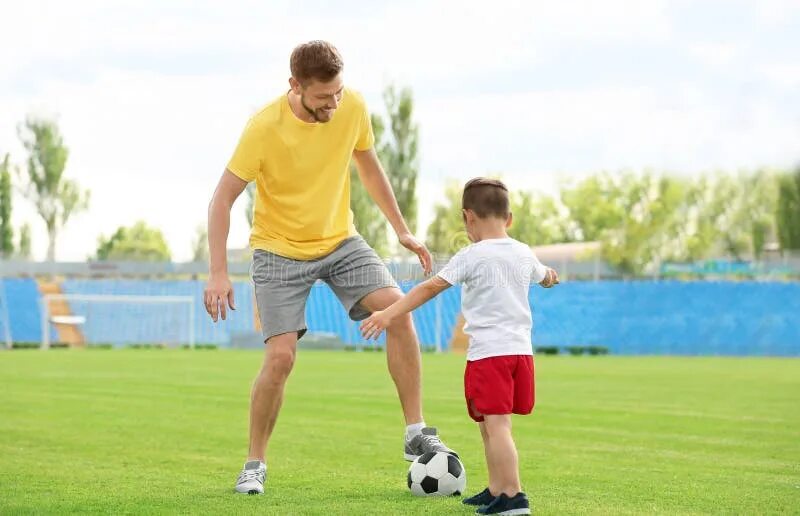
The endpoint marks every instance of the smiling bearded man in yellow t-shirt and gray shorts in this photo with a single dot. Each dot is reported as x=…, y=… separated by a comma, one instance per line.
x=298, y=149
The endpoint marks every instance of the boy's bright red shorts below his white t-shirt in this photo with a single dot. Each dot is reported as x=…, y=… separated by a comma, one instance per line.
x=499, y=385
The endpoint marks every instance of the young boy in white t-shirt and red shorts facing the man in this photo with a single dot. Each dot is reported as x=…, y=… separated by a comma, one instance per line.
x=496, y=272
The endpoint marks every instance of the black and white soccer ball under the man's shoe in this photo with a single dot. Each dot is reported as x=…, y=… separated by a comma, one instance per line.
x=437, y=474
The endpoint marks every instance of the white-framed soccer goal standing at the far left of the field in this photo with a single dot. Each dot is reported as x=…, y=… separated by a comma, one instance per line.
x=132, y=316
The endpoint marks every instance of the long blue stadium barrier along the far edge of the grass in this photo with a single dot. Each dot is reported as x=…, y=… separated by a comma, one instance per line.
x=669, y=317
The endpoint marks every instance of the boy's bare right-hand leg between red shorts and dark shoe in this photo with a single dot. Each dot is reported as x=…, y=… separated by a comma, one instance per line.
x=502, y=453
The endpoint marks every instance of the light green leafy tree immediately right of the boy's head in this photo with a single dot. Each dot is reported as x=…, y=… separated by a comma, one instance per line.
x=537, y=220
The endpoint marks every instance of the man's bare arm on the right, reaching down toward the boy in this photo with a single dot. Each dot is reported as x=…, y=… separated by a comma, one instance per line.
x=377, y=185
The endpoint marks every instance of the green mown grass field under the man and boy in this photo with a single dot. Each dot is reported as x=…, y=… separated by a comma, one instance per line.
x=154, y=431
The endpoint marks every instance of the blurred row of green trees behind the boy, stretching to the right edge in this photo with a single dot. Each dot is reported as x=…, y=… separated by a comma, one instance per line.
x=644, y=219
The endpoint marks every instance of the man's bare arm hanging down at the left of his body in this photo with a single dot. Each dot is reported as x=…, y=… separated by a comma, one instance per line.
x=219, y=290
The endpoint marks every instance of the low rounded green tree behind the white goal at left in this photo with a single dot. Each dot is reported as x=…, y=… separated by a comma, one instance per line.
x=136, y=243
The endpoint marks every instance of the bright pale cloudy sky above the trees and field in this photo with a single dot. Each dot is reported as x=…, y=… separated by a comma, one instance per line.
x=151, y=96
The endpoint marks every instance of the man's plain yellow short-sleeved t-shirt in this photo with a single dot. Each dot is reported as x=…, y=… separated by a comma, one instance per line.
x=301, y=170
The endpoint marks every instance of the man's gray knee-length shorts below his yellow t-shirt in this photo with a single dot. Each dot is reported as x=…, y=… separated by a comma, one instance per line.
x=282, y=285
